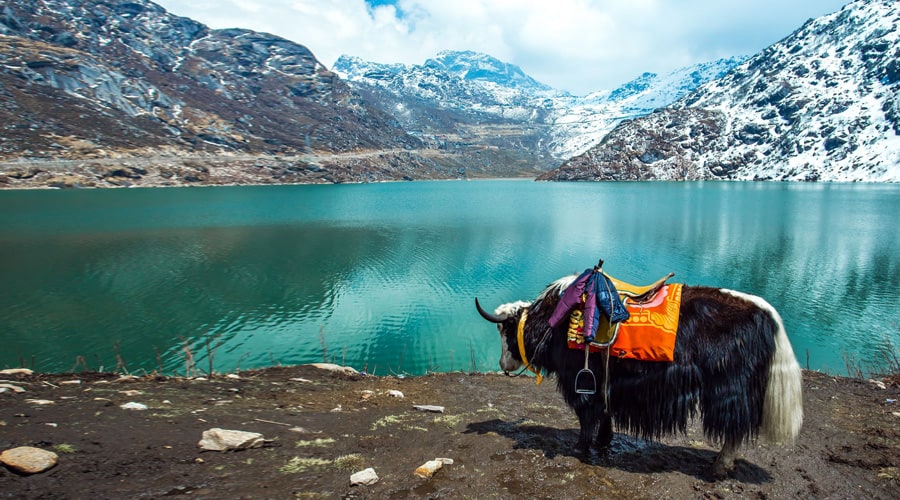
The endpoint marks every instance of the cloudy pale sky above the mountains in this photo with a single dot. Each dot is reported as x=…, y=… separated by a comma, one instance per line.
x=580, y=46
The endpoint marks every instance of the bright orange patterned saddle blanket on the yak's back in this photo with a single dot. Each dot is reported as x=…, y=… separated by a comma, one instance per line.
x=649, y=334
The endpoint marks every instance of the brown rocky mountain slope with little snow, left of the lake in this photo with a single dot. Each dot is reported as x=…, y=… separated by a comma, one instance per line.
x=97, y=79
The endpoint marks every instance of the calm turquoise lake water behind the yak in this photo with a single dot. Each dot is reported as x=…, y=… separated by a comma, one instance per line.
x=382, y=276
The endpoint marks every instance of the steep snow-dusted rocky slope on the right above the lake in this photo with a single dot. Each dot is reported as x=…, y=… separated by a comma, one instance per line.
x=822, y=104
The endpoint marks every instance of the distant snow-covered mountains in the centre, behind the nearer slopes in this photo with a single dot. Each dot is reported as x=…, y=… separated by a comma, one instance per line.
x=479, y=87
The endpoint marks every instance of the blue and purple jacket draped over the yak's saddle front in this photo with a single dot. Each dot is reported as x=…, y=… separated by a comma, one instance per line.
x=600, y=296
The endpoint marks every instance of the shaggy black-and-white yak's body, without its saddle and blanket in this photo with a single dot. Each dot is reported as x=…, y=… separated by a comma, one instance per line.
x=733, y=366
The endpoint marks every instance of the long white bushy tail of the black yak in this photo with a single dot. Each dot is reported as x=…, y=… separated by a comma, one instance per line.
x=783, y=406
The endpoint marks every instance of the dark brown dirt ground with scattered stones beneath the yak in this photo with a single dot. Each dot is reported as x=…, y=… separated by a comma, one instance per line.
x=507, y=437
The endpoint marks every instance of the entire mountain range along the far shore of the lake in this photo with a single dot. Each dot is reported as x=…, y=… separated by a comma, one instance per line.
x=97, y=80
